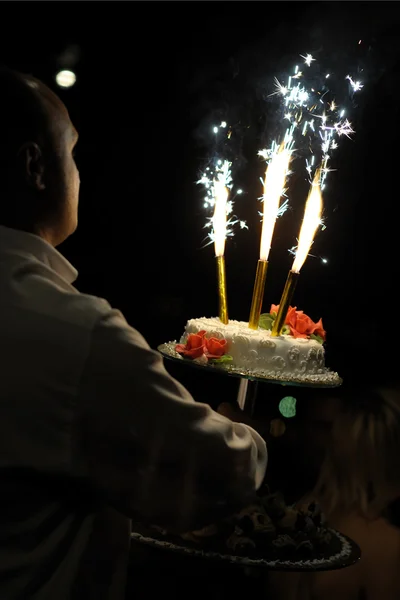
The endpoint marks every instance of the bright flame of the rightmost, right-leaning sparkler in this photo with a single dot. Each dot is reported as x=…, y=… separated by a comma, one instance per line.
x=311, y=222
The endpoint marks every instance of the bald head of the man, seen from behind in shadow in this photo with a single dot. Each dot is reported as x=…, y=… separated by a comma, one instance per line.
x=37, y=178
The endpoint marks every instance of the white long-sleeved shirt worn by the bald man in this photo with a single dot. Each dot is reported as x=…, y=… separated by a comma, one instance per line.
x=90, y=418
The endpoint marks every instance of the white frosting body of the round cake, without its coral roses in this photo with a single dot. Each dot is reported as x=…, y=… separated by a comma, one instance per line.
x=258, y=353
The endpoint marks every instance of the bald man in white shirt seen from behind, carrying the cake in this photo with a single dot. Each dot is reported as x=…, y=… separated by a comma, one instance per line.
x=91, y=424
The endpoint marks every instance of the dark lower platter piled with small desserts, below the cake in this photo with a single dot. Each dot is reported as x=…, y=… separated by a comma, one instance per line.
x=266, y=533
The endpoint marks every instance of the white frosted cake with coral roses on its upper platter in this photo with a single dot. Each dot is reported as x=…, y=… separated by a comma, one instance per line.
x=297, y=355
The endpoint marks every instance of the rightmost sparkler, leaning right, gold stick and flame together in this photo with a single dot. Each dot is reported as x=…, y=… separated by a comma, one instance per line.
x=311, y=221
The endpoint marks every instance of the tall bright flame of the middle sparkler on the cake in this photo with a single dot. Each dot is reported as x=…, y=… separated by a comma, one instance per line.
x=274, y=185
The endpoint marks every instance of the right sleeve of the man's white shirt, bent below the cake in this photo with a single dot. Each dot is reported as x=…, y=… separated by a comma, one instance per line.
x=149, y=447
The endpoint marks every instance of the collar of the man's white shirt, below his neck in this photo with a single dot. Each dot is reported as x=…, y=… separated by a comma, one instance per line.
x=21, y=242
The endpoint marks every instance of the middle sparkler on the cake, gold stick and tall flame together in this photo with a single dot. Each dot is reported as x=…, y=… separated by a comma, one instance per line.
x=274, y=184
